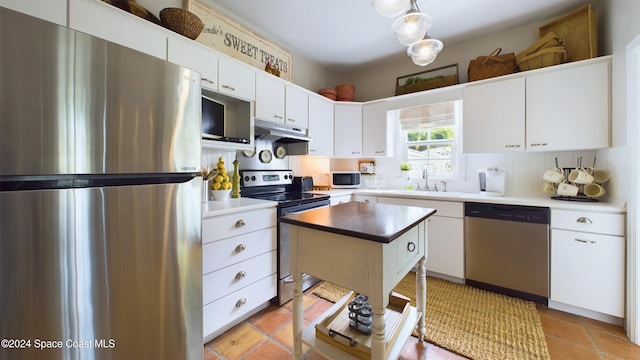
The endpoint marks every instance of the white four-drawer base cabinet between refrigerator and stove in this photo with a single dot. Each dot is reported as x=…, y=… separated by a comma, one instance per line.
x=239, y=263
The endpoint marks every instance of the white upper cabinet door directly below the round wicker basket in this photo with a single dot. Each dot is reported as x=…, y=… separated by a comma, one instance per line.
x=195, y=56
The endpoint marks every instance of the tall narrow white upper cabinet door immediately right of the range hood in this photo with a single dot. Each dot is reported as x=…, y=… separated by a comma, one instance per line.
x=320, y=126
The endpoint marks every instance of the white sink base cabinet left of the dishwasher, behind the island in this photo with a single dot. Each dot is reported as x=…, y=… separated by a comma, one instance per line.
x=445, y=234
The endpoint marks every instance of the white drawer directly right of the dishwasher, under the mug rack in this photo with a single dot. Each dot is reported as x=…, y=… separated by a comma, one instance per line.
x=601, y=223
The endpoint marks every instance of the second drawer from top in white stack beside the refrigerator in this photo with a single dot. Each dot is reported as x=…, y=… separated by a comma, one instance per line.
x=220, y=254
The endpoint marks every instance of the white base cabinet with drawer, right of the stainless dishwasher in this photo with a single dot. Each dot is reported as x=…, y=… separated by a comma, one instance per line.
x=587, y=265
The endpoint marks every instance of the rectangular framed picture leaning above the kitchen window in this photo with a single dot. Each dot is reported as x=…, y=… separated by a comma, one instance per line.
x=427, y=80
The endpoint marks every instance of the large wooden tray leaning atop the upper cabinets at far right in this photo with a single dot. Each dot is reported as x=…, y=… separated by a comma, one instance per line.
x=578, y=32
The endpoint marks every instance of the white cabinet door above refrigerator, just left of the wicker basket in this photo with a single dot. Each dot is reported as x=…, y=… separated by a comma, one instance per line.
x=110, y=23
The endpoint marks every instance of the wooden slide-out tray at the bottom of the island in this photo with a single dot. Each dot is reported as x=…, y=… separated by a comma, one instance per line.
x=335, y=329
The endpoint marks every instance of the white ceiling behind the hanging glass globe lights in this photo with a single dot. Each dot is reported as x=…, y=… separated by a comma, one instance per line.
x=341, y=35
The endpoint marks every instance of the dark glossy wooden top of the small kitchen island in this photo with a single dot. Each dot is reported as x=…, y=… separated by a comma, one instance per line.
x=375, y=222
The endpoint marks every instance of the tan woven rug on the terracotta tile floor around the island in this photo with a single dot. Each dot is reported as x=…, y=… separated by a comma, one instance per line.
x=474, y=323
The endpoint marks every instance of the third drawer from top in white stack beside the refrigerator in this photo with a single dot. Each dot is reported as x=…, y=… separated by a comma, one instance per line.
x=232, y=278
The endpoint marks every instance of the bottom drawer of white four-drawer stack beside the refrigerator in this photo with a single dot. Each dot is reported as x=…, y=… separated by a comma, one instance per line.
x=223, y=311
